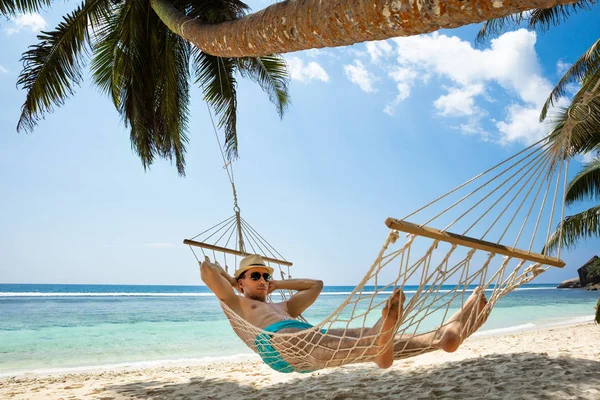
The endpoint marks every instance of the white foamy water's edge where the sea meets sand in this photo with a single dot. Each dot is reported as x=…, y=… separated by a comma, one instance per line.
x=252, y=357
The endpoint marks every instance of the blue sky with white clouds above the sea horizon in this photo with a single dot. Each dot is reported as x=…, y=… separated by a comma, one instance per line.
x=374, y=131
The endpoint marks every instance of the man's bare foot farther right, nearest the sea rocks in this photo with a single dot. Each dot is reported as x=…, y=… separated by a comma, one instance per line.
x=464, y=322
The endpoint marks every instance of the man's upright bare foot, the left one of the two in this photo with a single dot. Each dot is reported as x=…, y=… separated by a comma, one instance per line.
x=390, y=315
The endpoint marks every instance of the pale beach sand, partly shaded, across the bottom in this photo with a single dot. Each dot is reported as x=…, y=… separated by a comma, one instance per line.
x=555, y=363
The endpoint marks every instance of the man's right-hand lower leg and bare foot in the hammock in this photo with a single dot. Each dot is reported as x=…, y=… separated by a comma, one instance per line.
x=450, y=335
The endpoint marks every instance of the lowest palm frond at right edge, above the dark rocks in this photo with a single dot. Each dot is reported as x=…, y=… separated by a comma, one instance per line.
x=574, y=228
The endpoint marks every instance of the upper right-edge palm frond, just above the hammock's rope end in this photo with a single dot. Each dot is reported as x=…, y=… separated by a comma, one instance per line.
x=587, y=65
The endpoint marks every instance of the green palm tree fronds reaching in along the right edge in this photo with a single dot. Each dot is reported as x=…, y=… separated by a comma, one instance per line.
x=579, y=122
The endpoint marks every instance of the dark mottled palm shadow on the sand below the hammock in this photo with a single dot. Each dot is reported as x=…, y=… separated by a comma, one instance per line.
x=497, y=376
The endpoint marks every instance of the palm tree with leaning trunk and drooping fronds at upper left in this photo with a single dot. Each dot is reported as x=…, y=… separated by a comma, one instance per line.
x=141, y=52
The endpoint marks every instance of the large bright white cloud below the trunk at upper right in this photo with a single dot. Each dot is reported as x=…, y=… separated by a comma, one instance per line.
x=511, y=62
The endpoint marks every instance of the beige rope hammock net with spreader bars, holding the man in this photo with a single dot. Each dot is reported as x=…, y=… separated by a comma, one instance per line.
x=489, y=232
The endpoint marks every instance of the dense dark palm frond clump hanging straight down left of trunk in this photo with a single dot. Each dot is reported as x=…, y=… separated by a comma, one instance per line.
x=144, y=67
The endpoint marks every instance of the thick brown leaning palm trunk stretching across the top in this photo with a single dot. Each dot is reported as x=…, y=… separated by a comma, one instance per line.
x=294, y=25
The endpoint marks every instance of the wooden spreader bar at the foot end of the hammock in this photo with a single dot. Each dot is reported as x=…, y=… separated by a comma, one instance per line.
x=466, y=241
